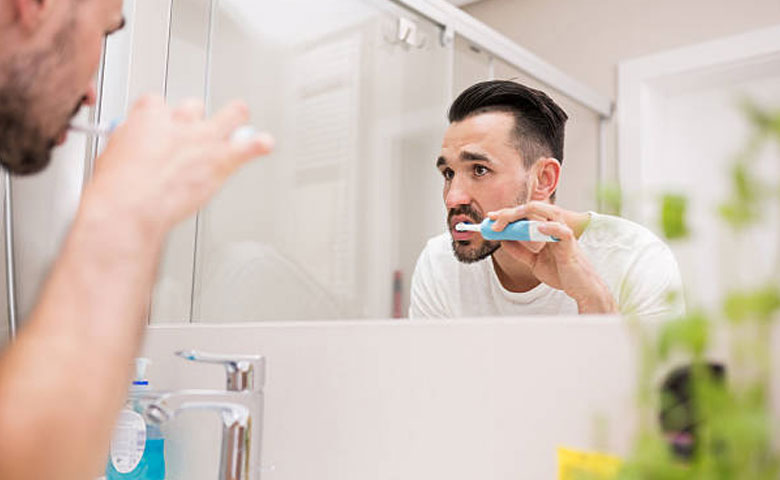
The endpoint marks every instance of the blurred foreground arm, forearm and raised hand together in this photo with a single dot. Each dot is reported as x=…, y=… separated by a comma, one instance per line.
x=159, y=167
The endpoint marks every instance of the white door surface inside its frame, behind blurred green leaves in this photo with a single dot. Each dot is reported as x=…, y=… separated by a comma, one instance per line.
x=703, y=129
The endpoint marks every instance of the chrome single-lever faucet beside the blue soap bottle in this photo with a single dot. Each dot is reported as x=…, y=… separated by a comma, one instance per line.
x=236, y=405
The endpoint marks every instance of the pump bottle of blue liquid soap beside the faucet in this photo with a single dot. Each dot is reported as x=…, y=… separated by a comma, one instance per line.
x=137, y=448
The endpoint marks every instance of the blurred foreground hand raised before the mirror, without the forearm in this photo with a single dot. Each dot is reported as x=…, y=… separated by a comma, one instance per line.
x=163, y=164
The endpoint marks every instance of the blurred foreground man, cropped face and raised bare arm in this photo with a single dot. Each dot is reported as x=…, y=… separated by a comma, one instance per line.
x=63, y=381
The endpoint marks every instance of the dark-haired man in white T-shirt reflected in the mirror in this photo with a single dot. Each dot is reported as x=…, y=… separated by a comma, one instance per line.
x=501, y=158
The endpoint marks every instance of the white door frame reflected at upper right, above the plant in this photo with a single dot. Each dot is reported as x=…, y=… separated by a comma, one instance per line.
x=644, y=82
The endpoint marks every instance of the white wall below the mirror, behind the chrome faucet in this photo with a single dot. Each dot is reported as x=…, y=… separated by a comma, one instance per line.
x=385, y=400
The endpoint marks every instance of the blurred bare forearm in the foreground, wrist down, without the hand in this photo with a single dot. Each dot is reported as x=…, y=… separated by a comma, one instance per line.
x=79, y=341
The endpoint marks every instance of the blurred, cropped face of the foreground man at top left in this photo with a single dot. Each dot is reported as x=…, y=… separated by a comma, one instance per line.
x=47, y=75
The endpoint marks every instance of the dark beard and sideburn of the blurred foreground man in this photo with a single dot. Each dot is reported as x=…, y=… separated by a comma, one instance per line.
x=25, y=87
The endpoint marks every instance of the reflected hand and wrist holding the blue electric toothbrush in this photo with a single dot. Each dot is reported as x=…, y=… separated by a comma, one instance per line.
x=562, y=264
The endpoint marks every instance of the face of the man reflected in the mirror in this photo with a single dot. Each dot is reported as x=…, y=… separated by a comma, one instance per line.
x=483, y=171
